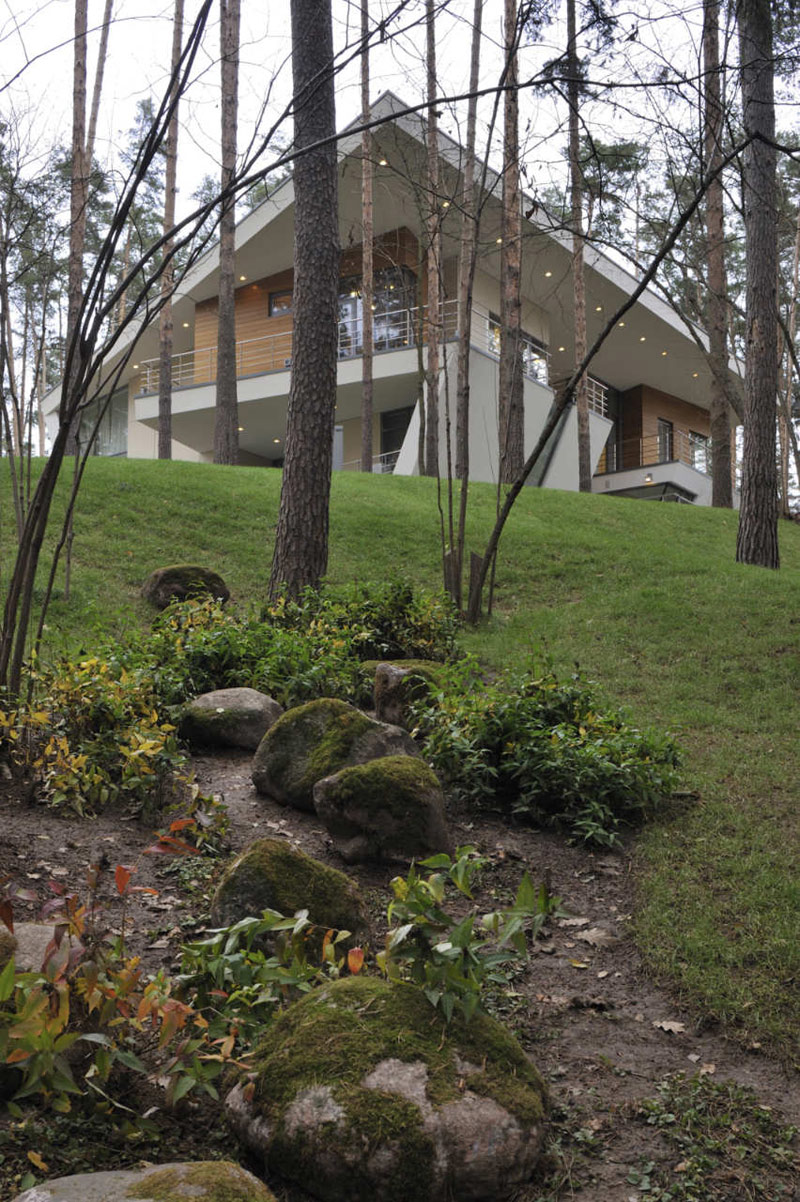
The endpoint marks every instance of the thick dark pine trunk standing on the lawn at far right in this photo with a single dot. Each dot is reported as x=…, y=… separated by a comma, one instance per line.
x=757, y=542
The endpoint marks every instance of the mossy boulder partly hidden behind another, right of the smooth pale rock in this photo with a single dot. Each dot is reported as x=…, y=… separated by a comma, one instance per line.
x=317, y=741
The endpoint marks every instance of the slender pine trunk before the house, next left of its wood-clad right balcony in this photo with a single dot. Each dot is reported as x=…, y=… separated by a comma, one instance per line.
x=578, y=277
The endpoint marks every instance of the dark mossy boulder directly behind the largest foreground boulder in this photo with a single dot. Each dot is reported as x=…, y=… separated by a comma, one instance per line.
x=273, y=876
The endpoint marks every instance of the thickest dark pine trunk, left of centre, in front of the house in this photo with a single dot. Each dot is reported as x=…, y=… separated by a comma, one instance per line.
x=301, y=555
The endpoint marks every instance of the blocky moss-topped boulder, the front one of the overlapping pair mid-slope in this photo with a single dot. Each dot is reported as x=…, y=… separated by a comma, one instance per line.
x=389, y=807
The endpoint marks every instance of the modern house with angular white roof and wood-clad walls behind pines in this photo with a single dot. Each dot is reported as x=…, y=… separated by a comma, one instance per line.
x=649, y=385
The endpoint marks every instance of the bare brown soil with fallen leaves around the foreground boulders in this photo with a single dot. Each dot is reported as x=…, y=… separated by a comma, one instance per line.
x=600, y=1030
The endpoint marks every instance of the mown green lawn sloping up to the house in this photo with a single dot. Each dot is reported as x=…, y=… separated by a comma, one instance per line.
x=646, y=598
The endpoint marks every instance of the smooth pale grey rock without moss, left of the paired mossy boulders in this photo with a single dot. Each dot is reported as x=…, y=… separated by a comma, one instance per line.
x=229, y=718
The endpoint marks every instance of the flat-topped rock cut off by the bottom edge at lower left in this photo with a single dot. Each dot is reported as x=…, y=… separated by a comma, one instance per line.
x=202, y=1181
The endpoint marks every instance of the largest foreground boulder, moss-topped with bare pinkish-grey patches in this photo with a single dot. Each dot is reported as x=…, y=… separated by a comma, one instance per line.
x=360, y=1093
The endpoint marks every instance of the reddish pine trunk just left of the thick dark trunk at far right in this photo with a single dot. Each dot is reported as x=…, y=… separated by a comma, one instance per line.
x=718, y=289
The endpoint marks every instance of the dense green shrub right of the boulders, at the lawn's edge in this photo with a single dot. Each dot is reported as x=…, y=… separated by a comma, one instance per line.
x=538, y=748
